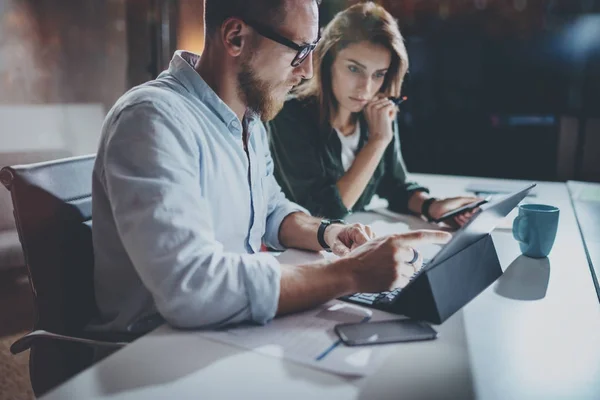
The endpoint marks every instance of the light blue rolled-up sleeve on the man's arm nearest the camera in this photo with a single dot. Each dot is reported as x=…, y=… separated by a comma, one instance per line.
x=151, y=176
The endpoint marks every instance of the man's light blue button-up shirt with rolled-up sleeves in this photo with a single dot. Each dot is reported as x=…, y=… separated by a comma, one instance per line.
x=177, y=220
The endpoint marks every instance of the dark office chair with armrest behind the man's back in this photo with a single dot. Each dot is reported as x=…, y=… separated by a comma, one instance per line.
x=52, y=208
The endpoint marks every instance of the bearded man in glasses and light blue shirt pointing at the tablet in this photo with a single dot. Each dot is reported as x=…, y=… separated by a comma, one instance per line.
x=184, y=194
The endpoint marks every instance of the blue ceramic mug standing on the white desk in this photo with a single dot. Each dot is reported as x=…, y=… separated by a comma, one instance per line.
x=535, y=229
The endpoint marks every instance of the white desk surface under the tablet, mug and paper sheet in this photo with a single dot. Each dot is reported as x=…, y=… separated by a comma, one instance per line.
x=534, y=334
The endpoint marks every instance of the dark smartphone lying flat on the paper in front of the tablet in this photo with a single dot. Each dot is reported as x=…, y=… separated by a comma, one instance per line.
x=399, y=330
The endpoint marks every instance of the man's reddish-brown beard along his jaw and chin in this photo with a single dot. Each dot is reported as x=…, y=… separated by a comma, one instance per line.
x=258, y=94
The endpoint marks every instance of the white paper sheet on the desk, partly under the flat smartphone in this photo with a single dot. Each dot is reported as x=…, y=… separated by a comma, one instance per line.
x=308, y=338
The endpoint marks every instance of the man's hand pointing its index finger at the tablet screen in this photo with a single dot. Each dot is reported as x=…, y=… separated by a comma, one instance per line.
x=381, y=264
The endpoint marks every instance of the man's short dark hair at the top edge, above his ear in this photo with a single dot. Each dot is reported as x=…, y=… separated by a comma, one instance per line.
x=271, y=12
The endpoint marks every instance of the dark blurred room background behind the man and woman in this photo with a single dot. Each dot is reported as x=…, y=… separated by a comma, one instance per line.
x=500, y=88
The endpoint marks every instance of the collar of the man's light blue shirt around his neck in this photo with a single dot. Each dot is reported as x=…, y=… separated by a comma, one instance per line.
x=182, y=68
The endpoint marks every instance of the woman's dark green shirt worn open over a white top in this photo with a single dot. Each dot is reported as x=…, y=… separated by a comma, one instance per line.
x=308, y=164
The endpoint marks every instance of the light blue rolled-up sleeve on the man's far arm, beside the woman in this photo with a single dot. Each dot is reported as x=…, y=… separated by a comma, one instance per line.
x=278, y=206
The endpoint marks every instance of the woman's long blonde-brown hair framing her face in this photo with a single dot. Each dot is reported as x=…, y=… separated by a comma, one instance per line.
x=361, y=22
